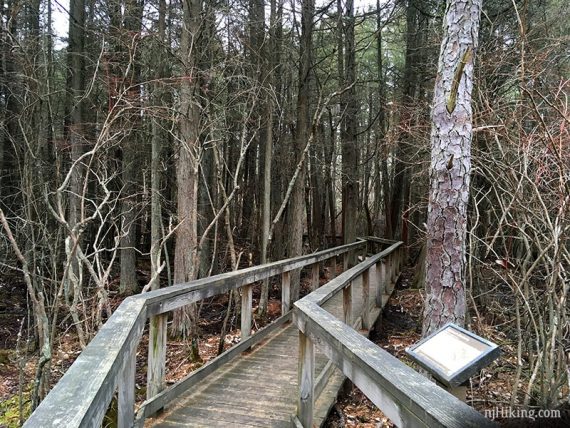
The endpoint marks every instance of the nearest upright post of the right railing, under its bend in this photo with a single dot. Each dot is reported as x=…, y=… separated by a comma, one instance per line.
x=306, y=376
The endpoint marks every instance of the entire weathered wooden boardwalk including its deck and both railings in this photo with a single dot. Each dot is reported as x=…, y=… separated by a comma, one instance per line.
x=258, y=387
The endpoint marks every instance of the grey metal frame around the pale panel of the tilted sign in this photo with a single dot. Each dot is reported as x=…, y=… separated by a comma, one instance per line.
x=456, y=377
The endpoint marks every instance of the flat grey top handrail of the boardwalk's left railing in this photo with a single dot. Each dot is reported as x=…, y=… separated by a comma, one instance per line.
x=83, y=394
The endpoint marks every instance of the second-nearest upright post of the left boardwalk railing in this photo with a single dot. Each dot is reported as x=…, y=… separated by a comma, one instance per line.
x=156, y=355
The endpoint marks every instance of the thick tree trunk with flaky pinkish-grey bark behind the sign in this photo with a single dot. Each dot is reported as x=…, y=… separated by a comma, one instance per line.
x=450, y=167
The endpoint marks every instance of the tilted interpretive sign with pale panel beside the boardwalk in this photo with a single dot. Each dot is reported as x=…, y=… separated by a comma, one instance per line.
x=453, y=354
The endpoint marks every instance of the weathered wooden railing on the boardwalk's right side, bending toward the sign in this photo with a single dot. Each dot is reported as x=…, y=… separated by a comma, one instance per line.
x=406, y=397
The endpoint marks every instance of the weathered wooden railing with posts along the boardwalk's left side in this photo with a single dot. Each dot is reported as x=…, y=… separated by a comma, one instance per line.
x=107, y=365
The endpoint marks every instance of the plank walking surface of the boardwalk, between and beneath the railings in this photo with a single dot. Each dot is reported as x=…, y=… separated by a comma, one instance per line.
x=259, y=389
